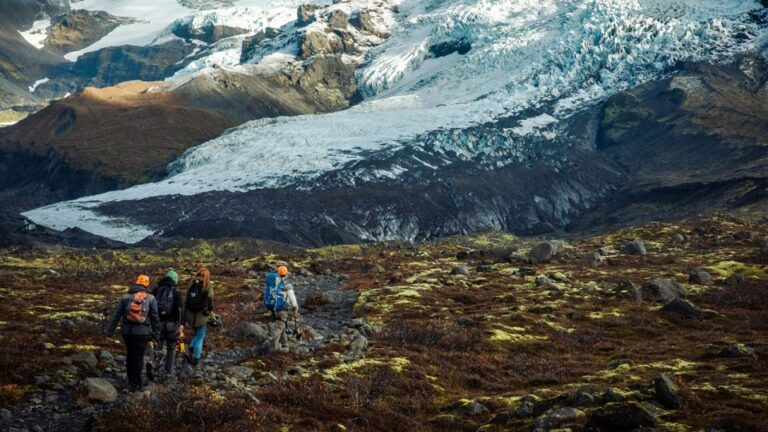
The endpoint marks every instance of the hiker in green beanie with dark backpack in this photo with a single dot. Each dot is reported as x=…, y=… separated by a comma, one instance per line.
x=169, y=308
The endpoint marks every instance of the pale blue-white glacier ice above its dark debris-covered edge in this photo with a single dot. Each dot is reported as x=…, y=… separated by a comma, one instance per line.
x=539, y=61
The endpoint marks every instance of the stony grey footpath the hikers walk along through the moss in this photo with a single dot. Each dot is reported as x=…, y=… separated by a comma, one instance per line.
x=66, y=405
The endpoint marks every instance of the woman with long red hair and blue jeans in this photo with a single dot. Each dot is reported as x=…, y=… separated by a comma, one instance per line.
x=198, y=310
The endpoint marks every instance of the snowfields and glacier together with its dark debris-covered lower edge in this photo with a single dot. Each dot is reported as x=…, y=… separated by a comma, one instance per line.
x=452, y=90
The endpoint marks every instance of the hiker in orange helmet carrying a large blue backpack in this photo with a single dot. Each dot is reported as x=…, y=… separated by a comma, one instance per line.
x=280, y=299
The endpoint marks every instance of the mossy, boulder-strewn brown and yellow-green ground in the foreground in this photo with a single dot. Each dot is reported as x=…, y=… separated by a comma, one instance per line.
x=659, y=327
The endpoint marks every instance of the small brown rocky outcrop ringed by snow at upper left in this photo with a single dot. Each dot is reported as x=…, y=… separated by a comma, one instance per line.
x=80, y=28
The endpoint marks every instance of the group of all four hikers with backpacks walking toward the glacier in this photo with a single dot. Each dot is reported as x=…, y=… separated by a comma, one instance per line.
x=156, y=320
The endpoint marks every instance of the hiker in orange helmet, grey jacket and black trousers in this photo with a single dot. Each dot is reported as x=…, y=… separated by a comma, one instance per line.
x=138, y=312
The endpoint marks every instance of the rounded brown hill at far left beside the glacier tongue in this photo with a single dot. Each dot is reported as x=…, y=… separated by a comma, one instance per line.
x=60, y=152
